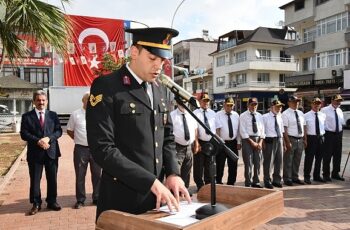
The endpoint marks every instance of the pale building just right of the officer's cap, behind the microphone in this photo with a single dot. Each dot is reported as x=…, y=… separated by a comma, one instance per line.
x=193, y=55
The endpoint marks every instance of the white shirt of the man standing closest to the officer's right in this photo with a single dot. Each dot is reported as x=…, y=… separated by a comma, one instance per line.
x=178, y=127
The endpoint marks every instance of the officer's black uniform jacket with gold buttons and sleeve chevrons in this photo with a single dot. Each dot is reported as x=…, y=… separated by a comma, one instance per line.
x=131, y=141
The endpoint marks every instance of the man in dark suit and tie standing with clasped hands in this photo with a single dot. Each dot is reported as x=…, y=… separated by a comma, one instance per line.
x=41, y=129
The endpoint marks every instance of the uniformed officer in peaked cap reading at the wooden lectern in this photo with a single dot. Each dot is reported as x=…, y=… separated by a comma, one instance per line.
x=129, y=130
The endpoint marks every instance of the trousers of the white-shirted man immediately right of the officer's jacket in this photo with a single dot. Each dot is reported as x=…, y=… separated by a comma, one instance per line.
x=184, y=159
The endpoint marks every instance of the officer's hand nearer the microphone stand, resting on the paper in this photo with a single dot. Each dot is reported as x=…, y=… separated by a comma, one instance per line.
x=177, y=186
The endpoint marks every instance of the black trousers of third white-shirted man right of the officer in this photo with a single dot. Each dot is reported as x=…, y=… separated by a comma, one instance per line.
x=232, y=165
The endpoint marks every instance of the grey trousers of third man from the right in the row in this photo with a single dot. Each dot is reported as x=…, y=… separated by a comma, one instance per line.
x=292, y=158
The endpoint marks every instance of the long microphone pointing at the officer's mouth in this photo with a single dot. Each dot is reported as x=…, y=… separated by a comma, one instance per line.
x=178, y=90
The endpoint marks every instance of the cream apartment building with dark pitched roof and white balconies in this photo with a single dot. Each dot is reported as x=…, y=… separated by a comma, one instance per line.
x=252, y=63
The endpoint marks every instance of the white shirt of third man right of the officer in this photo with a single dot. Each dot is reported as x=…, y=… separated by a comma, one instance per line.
x=221, y=122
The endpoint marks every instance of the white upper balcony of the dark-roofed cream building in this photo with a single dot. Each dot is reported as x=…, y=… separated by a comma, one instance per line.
x=264, y=63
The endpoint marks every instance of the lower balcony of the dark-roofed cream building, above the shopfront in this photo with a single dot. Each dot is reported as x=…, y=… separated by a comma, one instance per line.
x=269, y=86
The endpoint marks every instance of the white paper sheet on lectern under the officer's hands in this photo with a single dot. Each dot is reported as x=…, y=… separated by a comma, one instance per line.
x=185, y=216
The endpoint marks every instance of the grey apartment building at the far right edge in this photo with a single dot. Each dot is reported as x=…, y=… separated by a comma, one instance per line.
x=321, y=49
